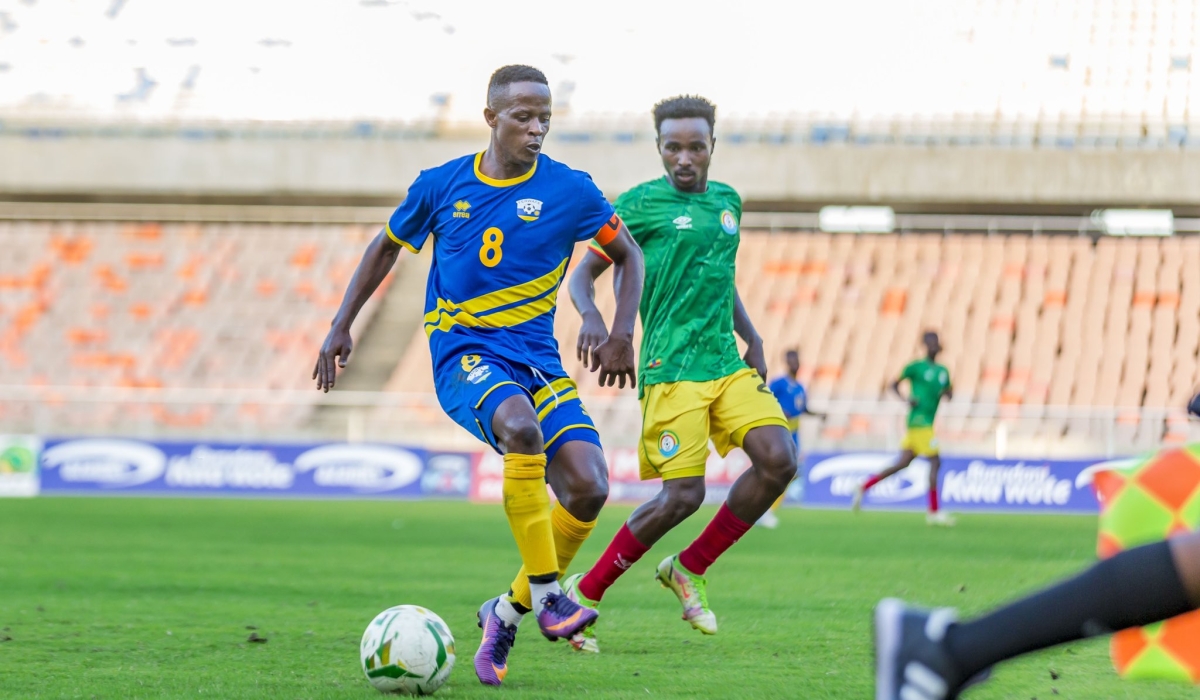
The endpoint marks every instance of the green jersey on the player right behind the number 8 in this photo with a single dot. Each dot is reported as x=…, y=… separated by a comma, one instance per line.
x=691, y=244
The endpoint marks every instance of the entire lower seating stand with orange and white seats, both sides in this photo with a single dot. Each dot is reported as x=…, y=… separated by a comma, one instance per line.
x=1058, y=337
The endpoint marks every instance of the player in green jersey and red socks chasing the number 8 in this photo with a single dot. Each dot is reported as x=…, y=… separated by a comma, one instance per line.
x=694, y=384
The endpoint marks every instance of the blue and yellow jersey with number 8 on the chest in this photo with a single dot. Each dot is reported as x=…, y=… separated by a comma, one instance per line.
x=501, y=250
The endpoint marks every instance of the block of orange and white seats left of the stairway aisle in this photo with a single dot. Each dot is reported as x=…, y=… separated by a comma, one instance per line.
x=165, y=307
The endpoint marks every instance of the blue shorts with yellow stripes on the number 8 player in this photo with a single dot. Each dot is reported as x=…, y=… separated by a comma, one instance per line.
x=472, y=390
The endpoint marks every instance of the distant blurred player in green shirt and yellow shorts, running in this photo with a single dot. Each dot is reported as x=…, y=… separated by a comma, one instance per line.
x=928, y=382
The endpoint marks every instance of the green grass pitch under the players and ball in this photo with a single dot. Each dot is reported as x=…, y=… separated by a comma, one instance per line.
x=155, y=599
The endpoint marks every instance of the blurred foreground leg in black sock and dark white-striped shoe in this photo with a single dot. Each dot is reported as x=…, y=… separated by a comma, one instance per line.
x=927, y=655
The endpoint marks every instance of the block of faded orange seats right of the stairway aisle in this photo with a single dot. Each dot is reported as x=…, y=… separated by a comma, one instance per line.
x=1053, y=328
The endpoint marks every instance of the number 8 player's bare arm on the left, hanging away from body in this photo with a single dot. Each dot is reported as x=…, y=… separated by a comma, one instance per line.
x=377, y=261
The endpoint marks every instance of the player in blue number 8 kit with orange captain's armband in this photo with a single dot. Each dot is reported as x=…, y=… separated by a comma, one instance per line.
x=505, y=224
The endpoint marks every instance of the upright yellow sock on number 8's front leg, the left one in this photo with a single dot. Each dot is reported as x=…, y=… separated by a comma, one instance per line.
x=527, y=505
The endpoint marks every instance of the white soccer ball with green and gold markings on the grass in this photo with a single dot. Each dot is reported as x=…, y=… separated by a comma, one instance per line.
x=409, y=650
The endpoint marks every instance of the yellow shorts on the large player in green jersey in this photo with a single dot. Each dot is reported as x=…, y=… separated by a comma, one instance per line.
x=680, y=418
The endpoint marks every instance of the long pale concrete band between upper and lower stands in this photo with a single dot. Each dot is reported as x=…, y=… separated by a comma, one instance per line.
x=772, y=177
